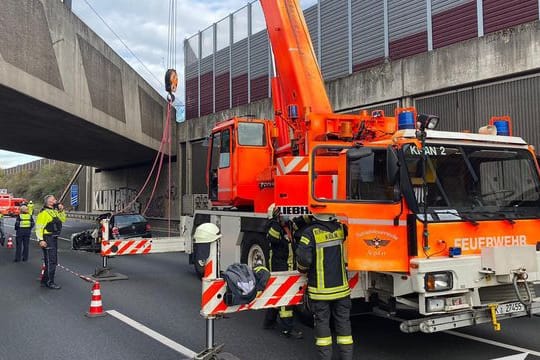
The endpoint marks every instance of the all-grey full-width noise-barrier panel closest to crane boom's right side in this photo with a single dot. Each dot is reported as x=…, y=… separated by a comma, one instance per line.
x=334, y=60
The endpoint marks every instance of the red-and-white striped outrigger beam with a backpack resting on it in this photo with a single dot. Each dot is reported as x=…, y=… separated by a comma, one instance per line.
x=283, y=288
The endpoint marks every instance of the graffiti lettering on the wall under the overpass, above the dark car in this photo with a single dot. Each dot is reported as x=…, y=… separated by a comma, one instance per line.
x=116, y=200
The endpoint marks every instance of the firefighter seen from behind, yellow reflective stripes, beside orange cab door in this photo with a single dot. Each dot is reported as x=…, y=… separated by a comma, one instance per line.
x=320, y=255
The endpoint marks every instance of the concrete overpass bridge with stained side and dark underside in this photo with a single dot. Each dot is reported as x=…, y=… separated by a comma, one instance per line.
x=66, y=95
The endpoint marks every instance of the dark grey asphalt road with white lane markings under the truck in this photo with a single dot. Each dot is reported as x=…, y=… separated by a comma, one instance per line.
x=163, y=294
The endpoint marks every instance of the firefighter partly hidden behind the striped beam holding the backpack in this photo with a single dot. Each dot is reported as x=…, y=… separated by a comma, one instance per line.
x=281, y=259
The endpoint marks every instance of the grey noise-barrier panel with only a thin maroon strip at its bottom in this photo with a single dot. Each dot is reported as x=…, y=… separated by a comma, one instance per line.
x=367, y=33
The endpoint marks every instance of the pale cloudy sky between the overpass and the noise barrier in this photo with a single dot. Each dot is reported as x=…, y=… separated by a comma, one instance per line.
x=143, y=27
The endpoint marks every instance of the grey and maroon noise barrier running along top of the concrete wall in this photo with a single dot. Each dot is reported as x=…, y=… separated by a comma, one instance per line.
x=228, y=64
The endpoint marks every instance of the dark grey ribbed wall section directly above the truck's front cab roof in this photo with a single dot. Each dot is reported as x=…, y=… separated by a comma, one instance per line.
x=472, y=108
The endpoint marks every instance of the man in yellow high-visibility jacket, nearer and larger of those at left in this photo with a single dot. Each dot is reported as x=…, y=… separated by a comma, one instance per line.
x=48, y=226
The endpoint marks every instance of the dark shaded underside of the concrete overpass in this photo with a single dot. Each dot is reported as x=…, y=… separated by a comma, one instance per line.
x=33, y=127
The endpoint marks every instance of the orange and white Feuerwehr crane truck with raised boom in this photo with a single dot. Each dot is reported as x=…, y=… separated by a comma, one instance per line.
x=443, y=223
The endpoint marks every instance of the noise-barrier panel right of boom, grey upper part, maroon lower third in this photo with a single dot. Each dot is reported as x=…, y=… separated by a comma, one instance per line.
x=407, y=24
